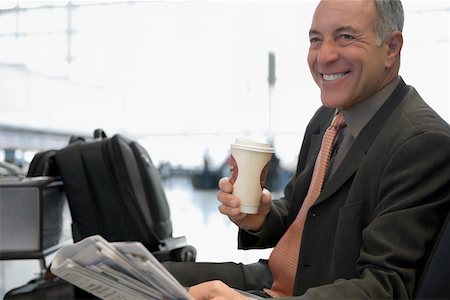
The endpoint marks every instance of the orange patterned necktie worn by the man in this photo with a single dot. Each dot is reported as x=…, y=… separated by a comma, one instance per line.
x=284, y=257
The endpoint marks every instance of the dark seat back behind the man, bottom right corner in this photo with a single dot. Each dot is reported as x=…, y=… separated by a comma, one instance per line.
x=435, y=280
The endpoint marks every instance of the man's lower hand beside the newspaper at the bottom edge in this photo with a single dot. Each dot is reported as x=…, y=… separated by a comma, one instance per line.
x=216, y=290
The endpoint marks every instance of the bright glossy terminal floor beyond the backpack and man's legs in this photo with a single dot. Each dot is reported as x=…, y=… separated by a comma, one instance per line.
x=194, y=215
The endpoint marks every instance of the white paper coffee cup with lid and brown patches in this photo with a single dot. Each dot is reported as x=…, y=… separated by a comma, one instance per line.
x=249, y=166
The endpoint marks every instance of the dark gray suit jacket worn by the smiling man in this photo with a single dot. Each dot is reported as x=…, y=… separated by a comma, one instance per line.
x=369, y=233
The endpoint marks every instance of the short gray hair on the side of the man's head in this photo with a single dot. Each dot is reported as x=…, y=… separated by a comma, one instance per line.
x=390, y=18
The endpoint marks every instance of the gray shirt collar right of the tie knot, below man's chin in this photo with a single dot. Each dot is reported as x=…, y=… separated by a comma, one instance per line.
x=356, y=117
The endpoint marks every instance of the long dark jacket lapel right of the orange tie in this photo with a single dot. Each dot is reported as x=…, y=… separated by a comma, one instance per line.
x=361, y=145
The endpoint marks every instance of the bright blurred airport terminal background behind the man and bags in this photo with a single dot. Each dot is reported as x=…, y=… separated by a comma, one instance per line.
x=183, y=79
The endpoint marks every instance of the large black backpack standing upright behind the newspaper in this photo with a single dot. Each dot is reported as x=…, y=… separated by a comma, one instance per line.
x=114, y=190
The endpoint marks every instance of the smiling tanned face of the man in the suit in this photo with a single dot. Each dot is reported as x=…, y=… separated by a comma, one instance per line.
x=343, y=57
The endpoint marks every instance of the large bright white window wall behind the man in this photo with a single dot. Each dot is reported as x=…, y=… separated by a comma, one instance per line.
x=161, y=70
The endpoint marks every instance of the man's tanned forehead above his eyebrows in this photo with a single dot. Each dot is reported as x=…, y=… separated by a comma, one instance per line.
x=349, y=13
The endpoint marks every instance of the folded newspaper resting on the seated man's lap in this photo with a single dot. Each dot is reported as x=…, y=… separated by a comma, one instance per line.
x=116, y=271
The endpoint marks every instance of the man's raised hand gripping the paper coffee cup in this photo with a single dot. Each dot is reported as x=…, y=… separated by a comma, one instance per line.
x=230, y=206
